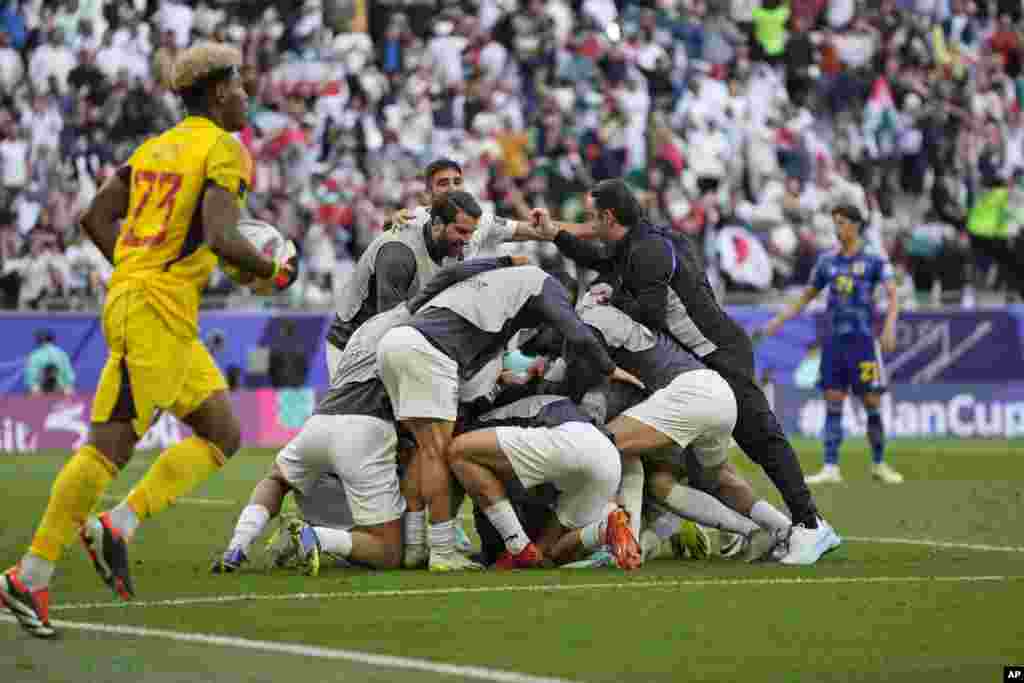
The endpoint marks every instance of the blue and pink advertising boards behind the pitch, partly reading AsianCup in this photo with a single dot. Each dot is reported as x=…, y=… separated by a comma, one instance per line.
x=954, y=374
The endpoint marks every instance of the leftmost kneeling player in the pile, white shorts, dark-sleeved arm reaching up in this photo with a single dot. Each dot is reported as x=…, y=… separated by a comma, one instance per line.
x=353, y=436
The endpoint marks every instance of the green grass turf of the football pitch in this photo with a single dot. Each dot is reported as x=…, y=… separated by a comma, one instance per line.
x=656, y=625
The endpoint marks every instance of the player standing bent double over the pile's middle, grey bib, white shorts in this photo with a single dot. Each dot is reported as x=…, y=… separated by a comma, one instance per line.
x=454, y=336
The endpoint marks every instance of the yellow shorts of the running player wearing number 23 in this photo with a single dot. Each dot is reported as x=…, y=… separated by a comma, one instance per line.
x=150, y=369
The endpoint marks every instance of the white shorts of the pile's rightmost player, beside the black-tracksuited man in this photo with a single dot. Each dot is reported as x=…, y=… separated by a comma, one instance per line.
x=699, y=409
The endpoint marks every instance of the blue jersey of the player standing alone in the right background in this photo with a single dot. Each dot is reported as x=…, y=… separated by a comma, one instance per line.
x=851, y=282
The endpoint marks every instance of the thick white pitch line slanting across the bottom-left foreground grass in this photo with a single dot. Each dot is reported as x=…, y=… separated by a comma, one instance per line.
x=385, y=661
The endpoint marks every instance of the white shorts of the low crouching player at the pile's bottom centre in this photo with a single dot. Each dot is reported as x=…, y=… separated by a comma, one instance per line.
x=576, y=457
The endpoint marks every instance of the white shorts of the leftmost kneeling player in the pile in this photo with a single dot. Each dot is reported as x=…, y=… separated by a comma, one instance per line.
x=362, y=451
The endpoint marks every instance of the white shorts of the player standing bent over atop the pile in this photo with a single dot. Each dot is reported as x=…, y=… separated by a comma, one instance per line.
x=421, y=381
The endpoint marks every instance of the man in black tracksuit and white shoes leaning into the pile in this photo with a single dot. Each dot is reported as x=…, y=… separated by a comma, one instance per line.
x=661, y=283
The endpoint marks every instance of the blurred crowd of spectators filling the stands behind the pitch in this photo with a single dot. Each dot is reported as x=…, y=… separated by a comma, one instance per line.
x=740, y=122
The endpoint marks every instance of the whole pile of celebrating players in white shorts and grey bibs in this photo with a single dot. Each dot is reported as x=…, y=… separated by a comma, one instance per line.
x=594, y=434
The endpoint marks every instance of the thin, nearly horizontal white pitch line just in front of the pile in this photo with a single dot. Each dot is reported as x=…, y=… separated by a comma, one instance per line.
x=527, y=588
